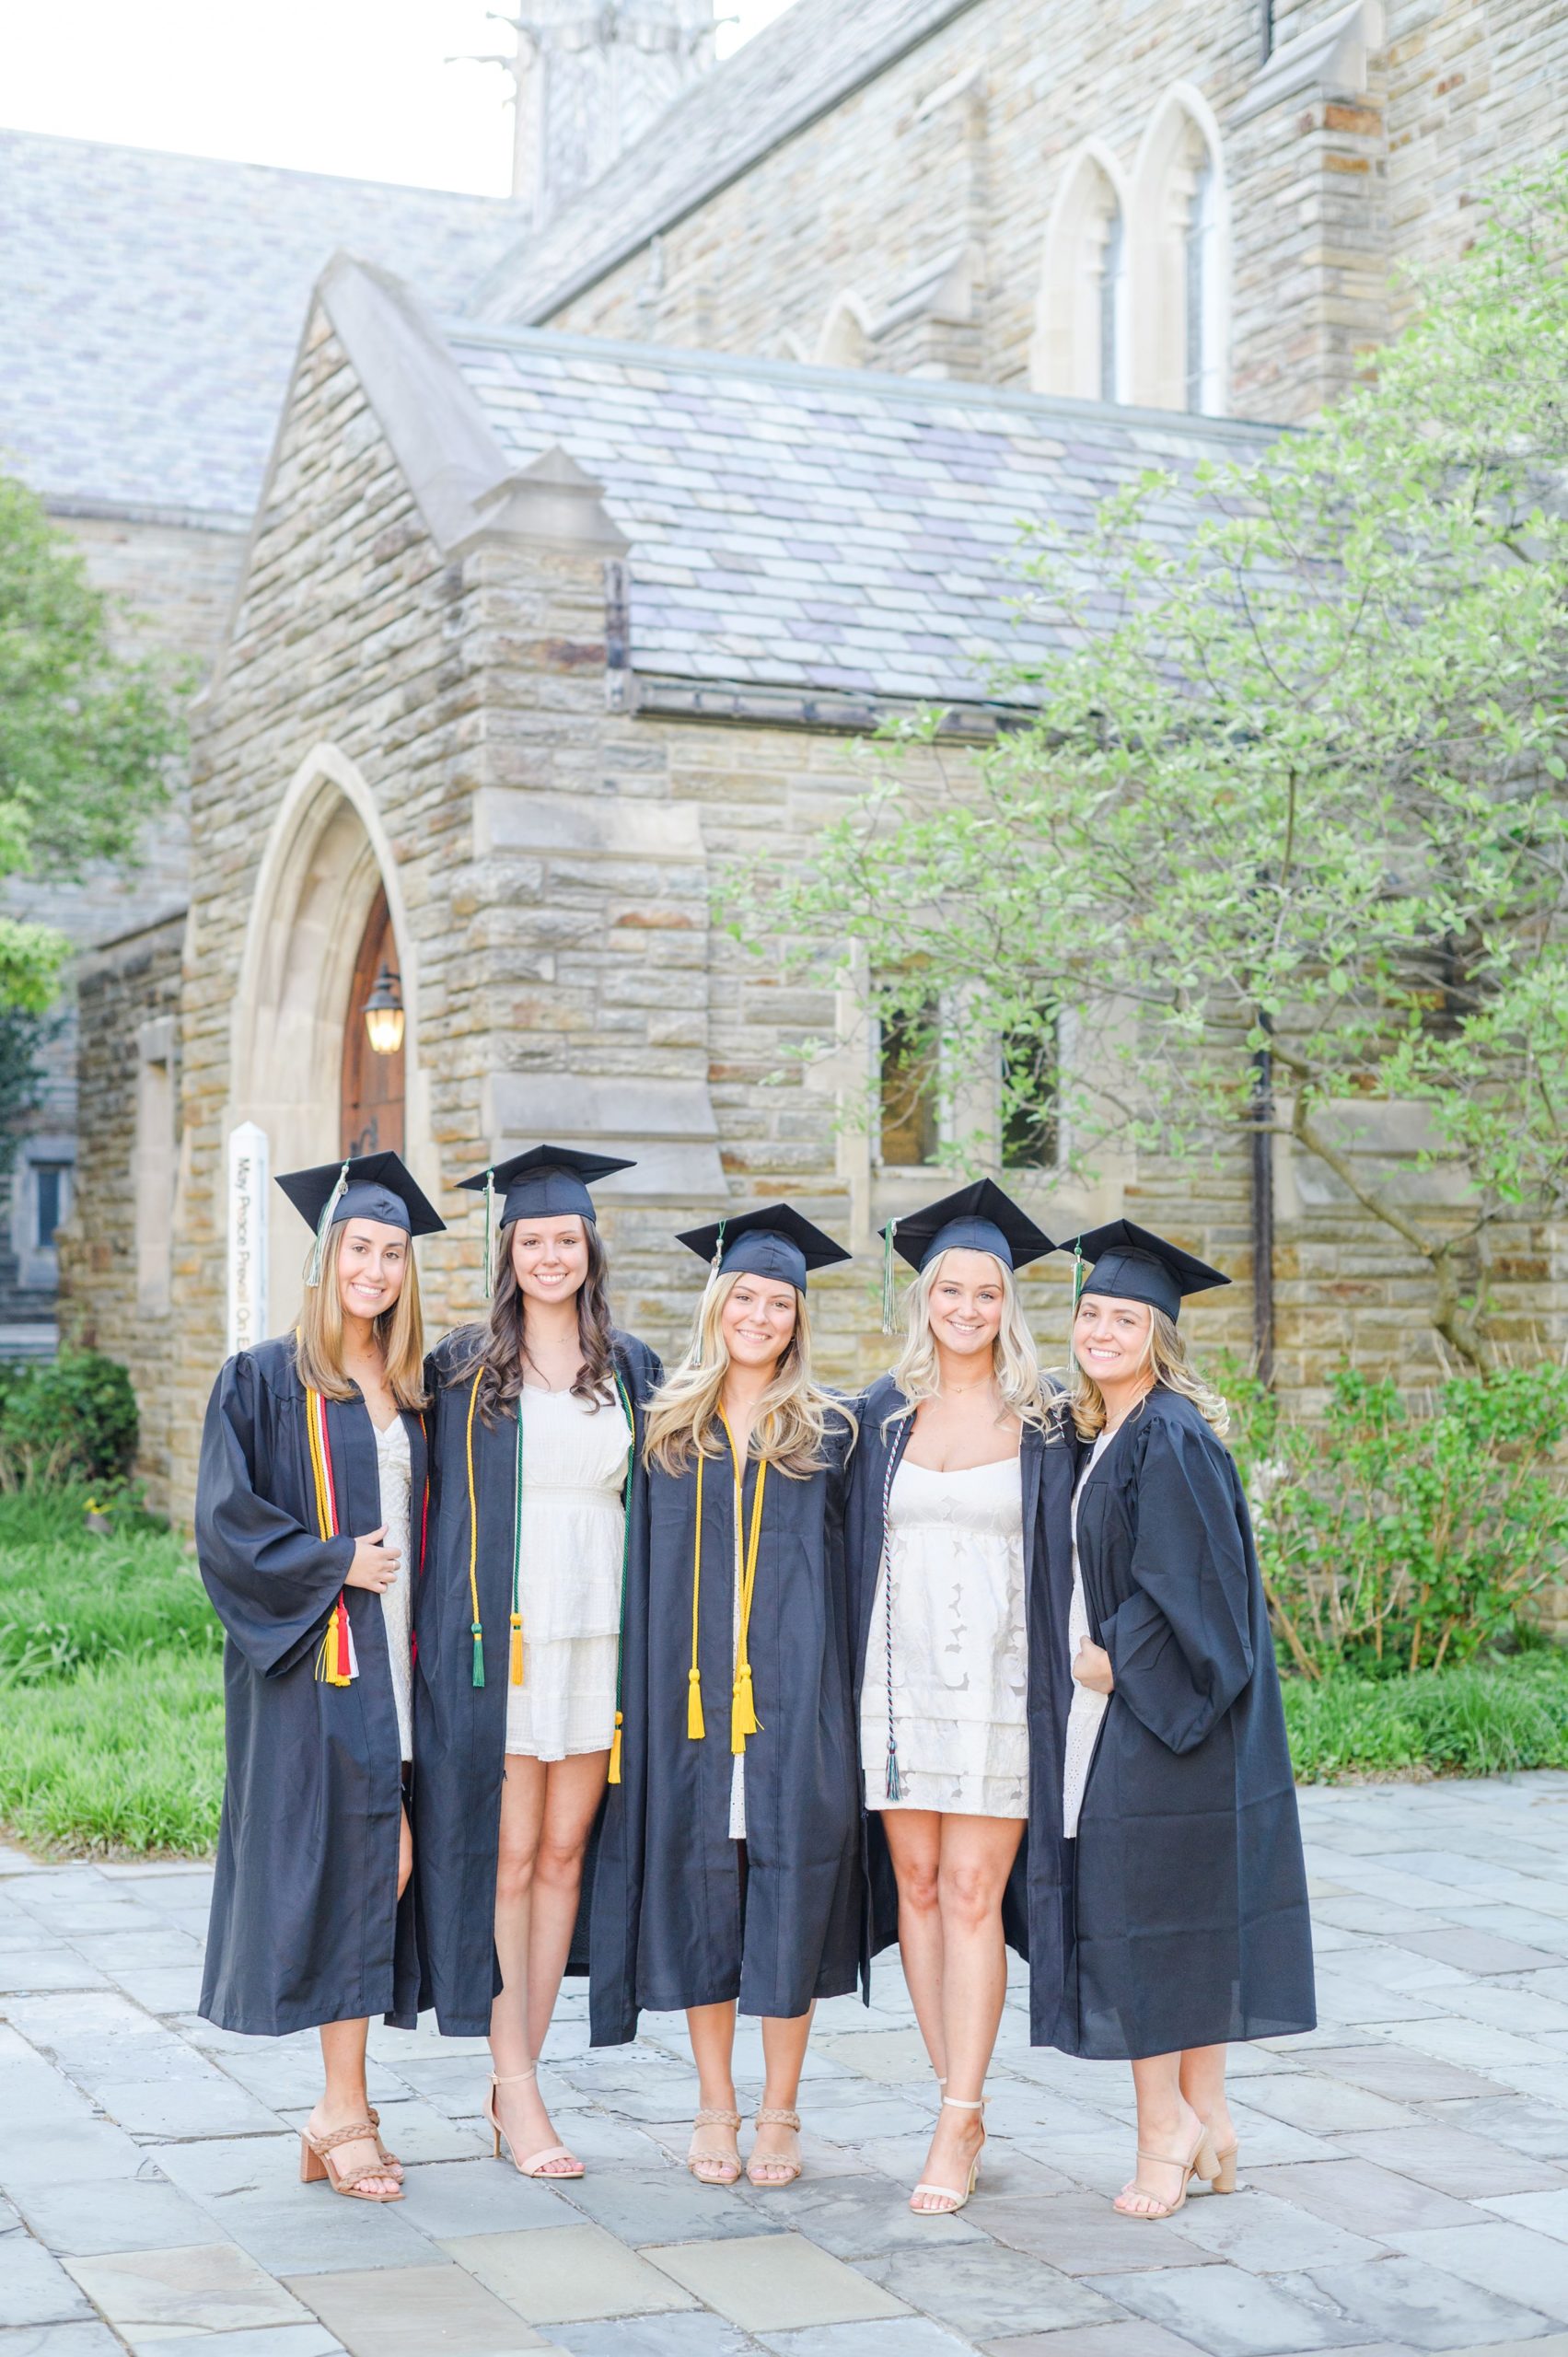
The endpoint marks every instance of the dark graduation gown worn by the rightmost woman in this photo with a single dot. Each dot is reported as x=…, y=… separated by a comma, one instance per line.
x=1192, y=1894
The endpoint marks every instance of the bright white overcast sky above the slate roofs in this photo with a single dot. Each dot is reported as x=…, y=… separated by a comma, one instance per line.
x=327, y=86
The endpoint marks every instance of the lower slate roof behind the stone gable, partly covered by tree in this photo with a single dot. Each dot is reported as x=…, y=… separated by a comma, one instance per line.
x=815, y=527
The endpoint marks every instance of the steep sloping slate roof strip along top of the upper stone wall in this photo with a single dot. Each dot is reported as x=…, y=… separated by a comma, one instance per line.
x=782, y=79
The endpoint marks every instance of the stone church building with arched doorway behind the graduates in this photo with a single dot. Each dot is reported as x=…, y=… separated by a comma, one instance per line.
x=555, y=605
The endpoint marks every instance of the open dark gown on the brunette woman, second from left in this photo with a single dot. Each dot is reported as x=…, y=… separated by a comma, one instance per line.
x=461, y=1729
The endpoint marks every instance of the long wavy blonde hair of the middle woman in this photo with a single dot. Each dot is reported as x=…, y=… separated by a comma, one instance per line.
x=791, y=1425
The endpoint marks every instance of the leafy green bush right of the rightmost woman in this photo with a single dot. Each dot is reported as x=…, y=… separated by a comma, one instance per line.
x=1395, y=1540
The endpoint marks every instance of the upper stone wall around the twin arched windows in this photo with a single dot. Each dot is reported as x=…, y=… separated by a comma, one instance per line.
x=928, y=192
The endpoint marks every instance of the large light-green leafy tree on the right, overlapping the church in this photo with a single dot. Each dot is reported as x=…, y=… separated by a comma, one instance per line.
x=1291, y=788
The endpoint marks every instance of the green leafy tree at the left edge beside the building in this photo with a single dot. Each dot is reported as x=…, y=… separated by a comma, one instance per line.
x=86, y=734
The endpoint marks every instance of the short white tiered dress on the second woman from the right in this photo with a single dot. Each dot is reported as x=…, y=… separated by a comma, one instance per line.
x=954, y=1569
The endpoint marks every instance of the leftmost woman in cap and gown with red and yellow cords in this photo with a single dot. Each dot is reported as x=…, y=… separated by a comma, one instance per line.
x=310, y=1465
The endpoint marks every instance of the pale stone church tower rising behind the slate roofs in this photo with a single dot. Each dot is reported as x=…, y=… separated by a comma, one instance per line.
x=591, y=79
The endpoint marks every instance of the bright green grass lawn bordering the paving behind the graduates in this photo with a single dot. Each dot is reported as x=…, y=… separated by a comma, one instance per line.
x=112, y=1703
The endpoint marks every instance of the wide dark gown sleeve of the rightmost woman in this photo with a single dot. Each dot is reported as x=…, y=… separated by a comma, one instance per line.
x=1180, y=1646
